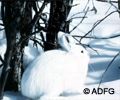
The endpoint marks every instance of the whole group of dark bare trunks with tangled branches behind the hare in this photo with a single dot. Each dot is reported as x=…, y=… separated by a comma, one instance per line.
x=20, y=27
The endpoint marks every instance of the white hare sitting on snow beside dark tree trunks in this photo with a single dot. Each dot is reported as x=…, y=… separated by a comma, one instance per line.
x=56, y=71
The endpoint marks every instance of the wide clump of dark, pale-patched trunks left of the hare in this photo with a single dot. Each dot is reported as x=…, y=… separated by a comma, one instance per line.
x=16, y=16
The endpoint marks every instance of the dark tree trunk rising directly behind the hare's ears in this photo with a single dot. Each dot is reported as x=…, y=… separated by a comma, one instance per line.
x=59, y=10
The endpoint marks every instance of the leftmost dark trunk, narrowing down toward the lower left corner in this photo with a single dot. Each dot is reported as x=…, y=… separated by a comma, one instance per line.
x=9, y=21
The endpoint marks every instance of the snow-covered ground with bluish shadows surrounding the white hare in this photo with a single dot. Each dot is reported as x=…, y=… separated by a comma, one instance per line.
x=106, y=50
